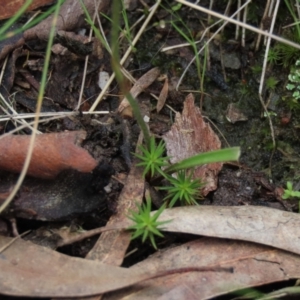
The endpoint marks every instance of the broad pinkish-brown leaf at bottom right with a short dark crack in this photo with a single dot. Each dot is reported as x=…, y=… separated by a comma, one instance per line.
x=253, y=265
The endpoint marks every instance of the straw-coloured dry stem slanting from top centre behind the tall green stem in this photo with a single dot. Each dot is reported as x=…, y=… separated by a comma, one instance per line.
x=126, y=55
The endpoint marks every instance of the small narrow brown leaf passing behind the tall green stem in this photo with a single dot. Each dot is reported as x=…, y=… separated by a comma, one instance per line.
x=141, y=84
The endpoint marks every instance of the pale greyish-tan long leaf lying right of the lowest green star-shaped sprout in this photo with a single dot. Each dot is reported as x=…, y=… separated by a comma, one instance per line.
x=257, y=224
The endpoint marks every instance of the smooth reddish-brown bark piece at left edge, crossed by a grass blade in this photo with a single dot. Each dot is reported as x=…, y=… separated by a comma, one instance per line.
x=52, y=153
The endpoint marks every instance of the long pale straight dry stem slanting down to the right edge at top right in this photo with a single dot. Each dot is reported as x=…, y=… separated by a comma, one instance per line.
x=231, y=20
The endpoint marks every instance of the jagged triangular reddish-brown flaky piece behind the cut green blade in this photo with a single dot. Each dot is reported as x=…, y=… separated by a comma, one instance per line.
x=189, y=136
